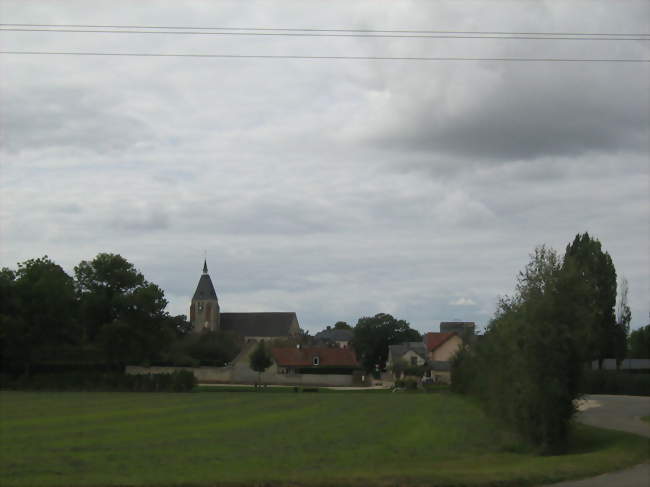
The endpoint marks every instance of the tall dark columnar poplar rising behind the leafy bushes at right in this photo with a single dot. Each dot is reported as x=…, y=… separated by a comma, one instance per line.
x=596, y=270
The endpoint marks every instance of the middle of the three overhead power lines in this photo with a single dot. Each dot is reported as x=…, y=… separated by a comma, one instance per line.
x=312, y=34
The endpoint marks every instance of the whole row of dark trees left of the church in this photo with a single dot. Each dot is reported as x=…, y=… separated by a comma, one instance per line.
x=107, y=315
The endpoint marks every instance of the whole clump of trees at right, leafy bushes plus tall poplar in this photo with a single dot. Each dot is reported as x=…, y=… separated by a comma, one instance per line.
x=527, y=367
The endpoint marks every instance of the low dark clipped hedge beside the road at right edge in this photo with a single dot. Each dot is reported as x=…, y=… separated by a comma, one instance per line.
x=615, y=382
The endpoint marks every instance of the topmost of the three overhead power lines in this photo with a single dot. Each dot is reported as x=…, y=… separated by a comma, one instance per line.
x=402, y=31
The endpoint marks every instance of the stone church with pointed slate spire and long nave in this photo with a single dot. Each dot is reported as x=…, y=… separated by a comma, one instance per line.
x=205, y=315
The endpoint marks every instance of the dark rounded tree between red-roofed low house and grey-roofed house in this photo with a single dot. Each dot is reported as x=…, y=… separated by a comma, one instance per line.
x=373, y=335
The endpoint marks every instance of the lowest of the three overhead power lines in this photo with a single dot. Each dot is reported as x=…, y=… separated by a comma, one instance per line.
x=281, y=56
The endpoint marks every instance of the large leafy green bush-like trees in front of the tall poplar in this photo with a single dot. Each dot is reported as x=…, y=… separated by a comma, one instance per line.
x=526, y=368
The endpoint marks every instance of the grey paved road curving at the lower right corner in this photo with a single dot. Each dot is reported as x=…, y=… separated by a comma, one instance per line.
x=619, y=413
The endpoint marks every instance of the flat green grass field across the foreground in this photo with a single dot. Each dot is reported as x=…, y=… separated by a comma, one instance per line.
x=96, y=439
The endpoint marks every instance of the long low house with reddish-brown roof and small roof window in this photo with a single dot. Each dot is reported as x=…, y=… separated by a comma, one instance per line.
x=315, y=360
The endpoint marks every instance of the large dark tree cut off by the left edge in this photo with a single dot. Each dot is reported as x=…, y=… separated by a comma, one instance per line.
x=38, y=314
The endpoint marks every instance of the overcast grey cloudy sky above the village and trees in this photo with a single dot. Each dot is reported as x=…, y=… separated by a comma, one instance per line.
x=333, y=188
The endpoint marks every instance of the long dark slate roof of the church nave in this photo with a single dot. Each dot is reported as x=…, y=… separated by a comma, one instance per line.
x=258, y=324
